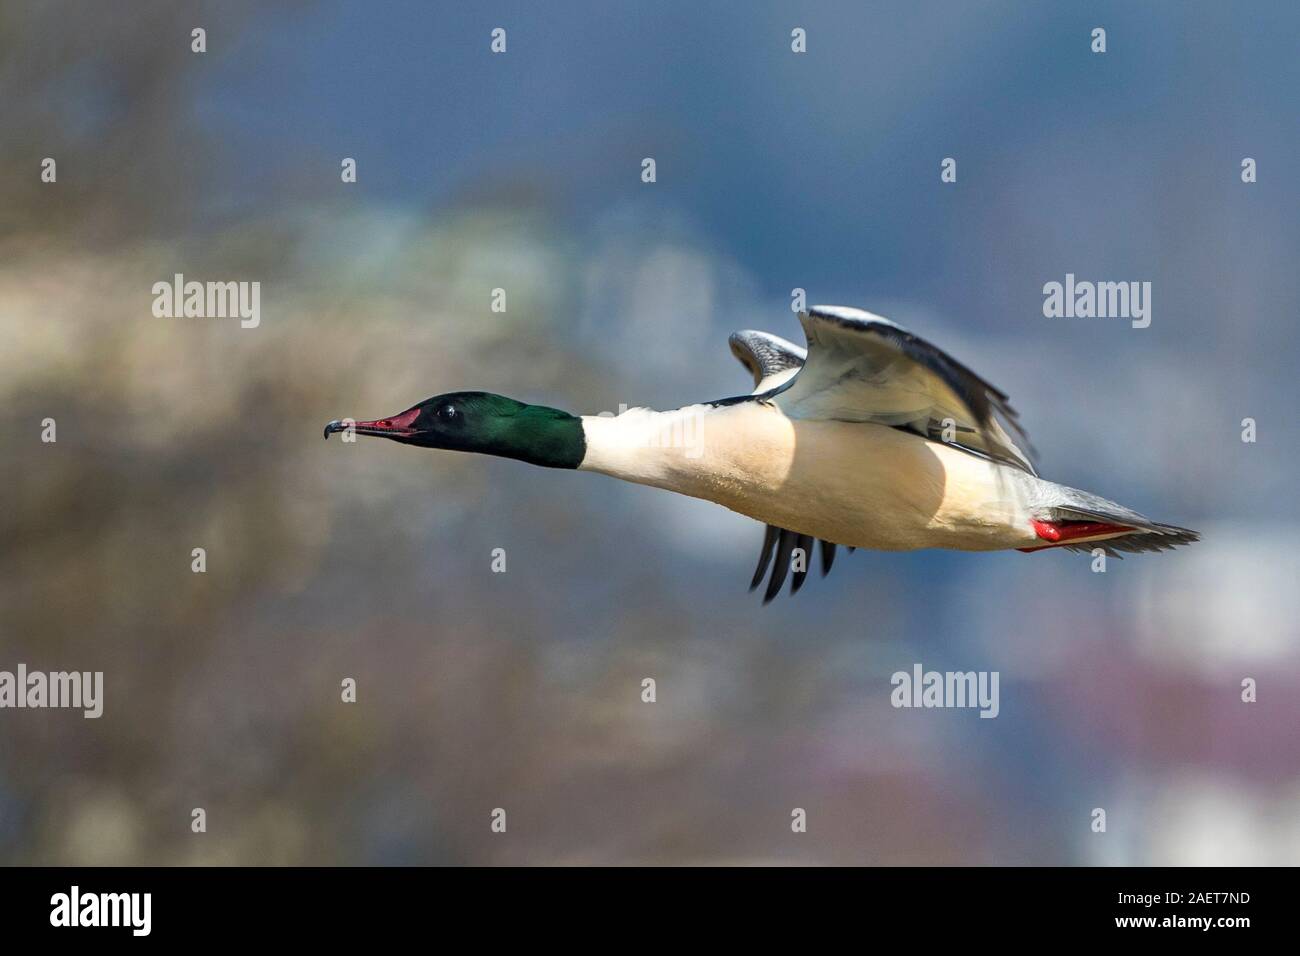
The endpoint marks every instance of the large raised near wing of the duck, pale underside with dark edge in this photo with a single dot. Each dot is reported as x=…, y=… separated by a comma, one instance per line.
x=861, y=367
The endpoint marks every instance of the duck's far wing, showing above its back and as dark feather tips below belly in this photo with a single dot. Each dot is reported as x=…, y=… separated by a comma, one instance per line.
x=774, y=362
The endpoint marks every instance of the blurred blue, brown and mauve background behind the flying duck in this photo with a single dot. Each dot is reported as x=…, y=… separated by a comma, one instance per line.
x=523, y=171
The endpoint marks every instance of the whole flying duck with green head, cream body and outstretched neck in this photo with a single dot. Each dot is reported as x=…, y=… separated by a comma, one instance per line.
x=866, y=438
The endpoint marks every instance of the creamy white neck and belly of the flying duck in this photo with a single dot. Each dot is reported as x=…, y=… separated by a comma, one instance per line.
x=853, y=485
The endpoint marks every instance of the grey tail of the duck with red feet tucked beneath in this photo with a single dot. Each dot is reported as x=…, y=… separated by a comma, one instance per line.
x=1084, y=522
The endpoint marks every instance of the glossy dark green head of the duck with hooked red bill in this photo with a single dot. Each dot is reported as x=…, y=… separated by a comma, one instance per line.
x=486, y=423
